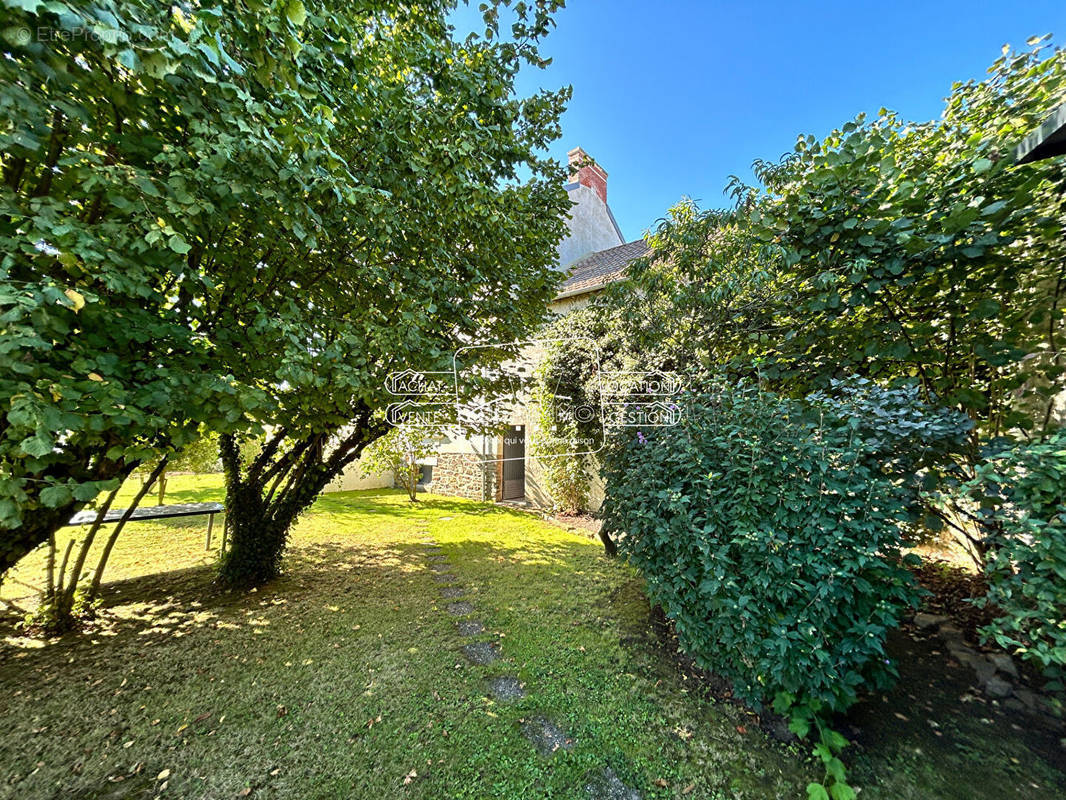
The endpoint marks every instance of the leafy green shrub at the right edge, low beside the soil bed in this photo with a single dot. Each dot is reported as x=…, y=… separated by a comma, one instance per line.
x=1022, y=490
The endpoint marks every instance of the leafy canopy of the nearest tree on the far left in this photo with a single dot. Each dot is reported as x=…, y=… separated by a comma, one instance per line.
x=152, y=155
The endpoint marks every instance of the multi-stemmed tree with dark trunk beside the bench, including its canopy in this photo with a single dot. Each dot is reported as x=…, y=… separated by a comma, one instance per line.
x=449, y=247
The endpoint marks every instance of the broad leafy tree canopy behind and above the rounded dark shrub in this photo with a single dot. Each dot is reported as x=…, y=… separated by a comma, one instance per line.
x=892, y=250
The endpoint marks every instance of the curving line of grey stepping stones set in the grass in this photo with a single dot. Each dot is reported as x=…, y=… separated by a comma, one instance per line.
x=544, y=734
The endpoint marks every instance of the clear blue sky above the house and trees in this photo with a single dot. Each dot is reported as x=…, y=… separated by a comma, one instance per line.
x=673, y=97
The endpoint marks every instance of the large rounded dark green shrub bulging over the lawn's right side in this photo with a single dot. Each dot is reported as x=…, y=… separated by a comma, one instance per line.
x=770, y=535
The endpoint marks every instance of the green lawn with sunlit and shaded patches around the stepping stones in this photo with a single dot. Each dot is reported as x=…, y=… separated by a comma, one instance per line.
x=346, y=678
